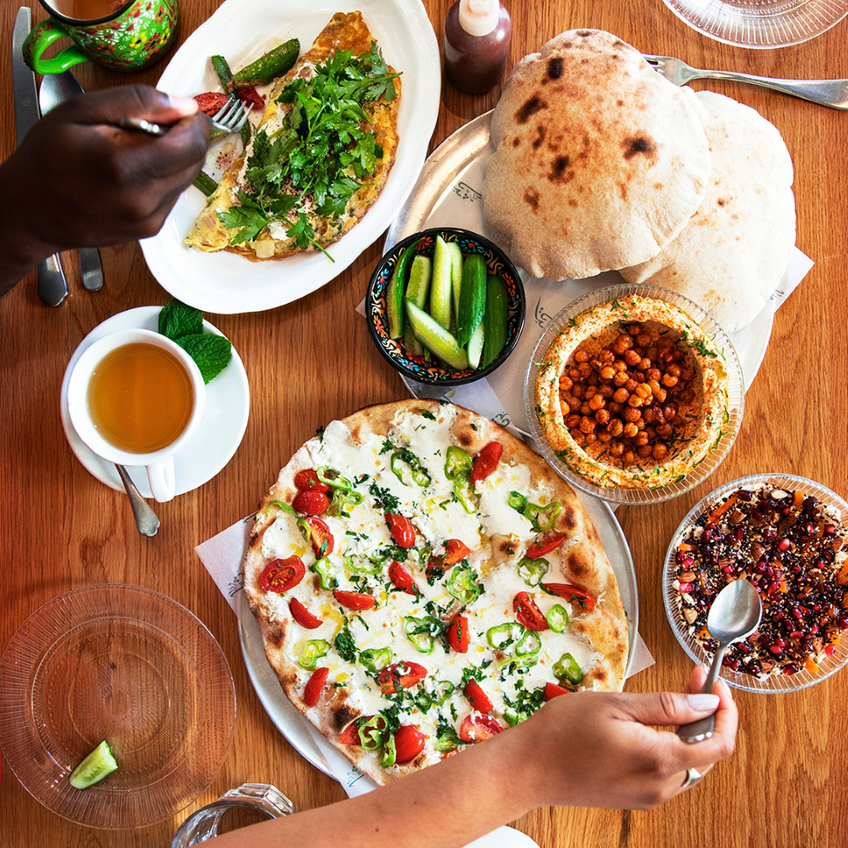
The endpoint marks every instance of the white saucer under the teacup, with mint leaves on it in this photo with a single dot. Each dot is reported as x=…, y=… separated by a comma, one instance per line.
x=221, y=431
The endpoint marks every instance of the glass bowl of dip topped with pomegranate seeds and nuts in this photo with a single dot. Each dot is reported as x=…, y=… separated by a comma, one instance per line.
x=788, y=536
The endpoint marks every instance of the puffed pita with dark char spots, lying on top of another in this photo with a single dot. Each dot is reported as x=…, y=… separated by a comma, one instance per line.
x=598, y=160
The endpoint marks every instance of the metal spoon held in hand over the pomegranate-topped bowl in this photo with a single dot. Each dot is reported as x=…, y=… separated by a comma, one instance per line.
x=735, y=614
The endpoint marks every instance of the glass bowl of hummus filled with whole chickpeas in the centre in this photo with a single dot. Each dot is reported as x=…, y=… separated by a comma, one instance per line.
x=634, y=394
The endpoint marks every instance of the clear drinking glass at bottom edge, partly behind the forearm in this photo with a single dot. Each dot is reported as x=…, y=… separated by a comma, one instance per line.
x=250, y=804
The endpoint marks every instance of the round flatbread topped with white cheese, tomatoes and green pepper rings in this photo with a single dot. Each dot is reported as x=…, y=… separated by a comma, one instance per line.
x=413, y=579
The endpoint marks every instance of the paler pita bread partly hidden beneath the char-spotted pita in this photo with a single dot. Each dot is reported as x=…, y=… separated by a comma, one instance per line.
x=731, y=256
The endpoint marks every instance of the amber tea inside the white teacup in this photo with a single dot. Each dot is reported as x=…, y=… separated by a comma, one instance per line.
x=140, y=398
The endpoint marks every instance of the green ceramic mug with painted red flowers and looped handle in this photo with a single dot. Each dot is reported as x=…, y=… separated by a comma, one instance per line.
x=134, y=36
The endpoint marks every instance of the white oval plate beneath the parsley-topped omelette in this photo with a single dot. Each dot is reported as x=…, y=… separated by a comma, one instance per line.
x=242, y=30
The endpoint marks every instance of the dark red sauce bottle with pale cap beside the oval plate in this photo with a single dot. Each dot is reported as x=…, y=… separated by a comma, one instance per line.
x=477, y=36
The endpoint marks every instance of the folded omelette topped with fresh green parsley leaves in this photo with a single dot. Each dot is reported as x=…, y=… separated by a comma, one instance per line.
x=319, y=156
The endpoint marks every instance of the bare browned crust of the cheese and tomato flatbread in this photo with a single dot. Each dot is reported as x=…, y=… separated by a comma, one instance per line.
x=579, y=560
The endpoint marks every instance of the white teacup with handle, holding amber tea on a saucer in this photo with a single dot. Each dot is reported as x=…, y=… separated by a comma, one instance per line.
x=159, y=463
